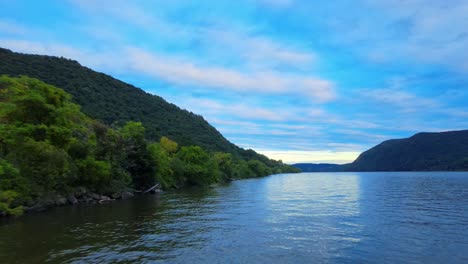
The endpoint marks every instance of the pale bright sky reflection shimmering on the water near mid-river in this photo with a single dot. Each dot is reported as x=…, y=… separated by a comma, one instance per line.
x=313, y=214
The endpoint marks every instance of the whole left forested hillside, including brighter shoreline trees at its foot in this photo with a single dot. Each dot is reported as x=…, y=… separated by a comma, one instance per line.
x=64, y=127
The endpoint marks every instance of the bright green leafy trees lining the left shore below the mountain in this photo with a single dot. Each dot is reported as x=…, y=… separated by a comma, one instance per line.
x=47, y=145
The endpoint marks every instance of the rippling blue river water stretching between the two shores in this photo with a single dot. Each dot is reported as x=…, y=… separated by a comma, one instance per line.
x=289, y=218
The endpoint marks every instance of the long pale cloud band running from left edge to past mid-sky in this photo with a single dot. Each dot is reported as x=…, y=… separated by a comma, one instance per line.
x=185, y=72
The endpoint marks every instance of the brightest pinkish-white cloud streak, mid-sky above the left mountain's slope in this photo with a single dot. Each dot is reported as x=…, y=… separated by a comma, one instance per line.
x=186, y=72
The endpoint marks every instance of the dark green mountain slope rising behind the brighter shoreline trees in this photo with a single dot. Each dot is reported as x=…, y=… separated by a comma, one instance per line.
x=114, y=102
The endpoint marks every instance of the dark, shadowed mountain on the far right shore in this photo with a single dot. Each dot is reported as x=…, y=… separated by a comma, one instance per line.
x=444, y=151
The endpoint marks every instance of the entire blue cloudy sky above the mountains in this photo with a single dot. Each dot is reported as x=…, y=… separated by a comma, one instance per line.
x=301, y=81
